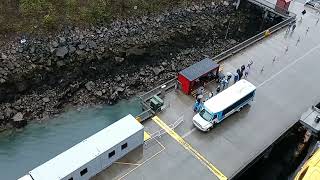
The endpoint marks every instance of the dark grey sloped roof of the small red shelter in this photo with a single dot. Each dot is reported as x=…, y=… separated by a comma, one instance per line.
x=198, y=69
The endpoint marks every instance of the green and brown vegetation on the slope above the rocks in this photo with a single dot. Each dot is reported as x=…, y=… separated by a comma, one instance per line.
x=49, y=15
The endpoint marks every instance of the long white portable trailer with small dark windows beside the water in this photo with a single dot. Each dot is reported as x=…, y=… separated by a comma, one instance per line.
x=93, y=154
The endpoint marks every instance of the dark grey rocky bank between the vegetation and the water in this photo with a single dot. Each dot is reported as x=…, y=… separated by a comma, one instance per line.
x=42, y=76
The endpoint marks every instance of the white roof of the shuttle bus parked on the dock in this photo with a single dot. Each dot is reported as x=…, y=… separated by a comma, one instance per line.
x=229, y=96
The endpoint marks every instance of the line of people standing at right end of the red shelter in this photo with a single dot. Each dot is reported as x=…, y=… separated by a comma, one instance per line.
x=241, y=72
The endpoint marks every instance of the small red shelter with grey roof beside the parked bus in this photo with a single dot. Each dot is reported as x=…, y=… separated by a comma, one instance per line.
x=194, y=76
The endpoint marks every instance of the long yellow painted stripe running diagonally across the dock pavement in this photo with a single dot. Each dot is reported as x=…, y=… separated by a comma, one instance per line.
x=188, y=147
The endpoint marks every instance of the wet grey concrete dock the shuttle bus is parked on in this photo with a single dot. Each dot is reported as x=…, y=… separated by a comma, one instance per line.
x=286, y=87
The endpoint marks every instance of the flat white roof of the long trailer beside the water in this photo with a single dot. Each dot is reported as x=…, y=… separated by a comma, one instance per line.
x=82, y=153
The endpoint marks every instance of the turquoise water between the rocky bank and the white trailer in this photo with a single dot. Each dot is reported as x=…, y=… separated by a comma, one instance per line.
x=21, y=151
